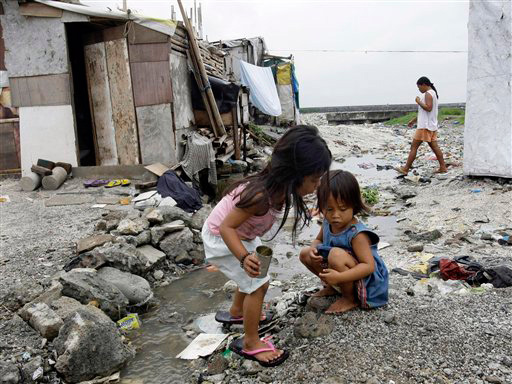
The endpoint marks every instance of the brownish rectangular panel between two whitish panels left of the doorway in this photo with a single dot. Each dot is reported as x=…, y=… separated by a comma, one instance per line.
x=35, y=91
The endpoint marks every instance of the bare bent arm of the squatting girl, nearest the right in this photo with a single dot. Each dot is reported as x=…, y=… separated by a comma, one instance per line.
x=366, y=264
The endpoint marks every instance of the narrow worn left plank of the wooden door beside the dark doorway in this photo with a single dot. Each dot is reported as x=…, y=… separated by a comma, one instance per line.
x=101, y=107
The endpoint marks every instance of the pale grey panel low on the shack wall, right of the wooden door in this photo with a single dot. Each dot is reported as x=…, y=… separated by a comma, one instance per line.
x=156, y=134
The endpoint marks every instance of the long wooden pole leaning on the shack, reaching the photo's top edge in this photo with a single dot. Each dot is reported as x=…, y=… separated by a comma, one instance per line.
x=218, y=128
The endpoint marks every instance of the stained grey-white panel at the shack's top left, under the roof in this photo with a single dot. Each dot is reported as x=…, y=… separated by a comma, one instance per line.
x=34, y=45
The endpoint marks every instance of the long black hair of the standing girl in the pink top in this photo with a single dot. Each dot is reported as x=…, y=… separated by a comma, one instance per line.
x=300, y=152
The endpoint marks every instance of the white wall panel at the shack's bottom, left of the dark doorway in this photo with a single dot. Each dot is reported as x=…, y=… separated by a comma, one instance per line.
x=46, y=133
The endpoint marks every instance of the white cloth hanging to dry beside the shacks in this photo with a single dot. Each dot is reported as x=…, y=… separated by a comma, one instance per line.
x=263, y=88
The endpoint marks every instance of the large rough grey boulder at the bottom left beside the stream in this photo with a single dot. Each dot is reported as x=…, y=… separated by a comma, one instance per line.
x=90, y=345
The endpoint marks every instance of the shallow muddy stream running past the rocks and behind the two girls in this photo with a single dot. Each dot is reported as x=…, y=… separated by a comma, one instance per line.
x=198, y=295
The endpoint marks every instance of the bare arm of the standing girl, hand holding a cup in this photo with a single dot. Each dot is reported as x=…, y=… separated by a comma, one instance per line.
x=228, y=233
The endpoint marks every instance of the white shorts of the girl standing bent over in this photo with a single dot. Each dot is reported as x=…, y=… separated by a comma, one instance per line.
x=218, y=254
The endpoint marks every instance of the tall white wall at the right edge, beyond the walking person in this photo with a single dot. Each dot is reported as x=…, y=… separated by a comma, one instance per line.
x=488, y=128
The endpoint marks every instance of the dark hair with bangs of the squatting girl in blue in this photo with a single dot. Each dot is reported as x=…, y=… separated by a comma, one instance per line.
x=342, y=185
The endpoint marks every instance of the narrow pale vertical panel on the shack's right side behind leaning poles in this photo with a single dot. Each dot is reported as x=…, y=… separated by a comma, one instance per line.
x=182, y=100
